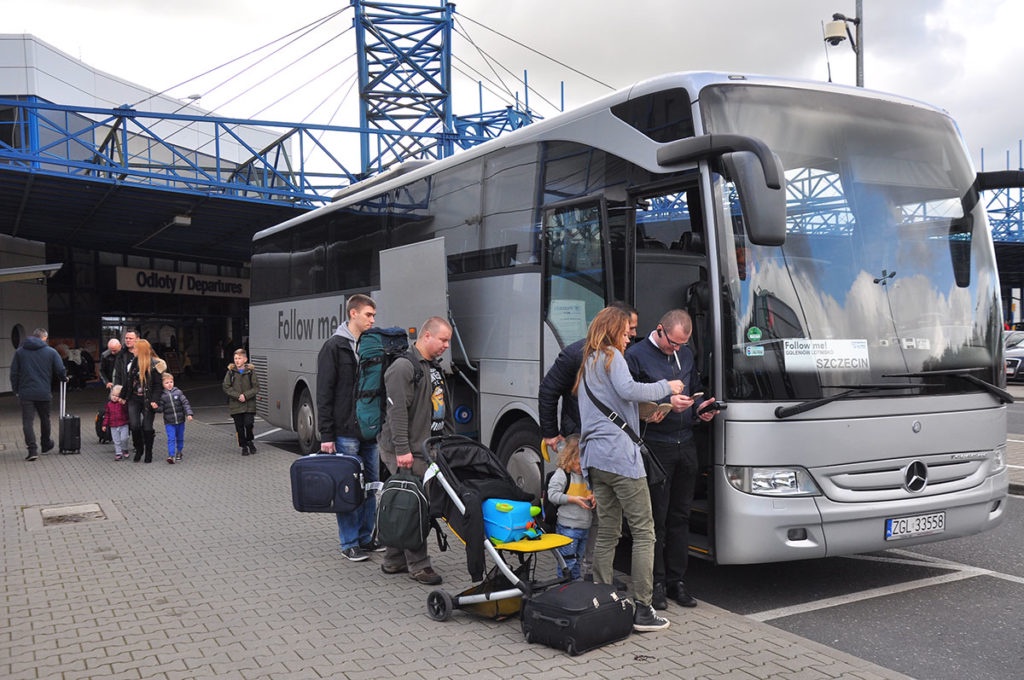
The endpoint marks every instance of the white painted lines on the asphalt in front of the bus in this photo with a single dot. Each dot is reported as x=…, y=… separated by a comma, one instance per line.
x=959, y=573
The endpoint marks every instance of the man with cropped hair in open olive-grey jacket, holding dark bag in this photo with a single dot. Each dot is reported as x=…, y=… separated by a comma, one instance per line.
x=418, y=408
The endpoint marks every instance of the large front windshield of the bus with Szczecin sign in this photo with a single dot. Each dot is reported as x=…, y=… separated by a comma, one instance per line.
x=888, y=267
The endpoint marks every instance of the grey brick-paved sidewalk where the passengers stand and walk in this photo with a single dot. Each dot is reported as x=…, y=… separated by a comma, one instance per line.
x=204, y=571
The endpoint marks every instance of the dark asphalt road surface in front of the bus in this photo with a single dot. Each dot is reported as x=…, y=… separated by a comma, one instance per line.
x=948, y=611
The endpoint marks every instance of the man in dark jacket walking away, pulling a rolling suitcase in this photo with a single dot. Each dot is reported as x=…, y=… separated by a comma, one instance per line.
x=32, y=374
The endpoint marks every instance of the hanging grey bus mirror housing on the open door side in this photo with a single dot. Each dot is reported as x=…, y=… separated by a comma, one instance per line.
x=764, y=208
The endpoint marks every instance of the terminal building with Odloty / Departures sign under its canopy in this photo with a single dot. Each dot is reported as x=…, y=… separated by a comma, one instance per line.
x=156, y=253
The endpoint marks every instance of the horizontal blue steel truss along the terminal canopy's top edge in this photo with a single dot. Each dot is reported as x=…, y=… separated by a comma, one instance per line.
x=178, y=152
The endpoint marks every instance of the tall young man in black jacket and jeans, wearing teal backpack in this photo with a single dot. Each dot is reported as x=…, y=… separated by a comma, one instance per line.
x=339, y=432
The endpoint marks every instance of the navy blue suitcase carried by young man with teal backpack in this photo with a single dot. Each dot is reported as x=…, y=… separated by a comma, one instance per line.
x=327, y=483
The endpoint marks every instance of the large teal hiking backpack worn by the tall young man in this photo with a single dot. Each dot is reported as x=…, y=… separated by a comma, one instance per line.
x=378, y=349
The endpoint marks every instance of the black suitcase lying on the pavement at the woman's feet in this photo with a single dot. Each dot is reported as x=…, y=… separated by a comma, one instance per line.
x=578, y=617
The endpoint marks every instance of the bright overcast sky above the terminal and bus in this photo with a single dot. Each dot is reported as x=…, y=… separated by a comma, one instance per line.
x=964, y=56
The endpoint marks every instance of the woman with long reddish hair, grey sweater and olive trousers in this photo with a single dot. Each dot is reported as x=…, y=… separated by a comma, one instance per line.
x=612, y=460
